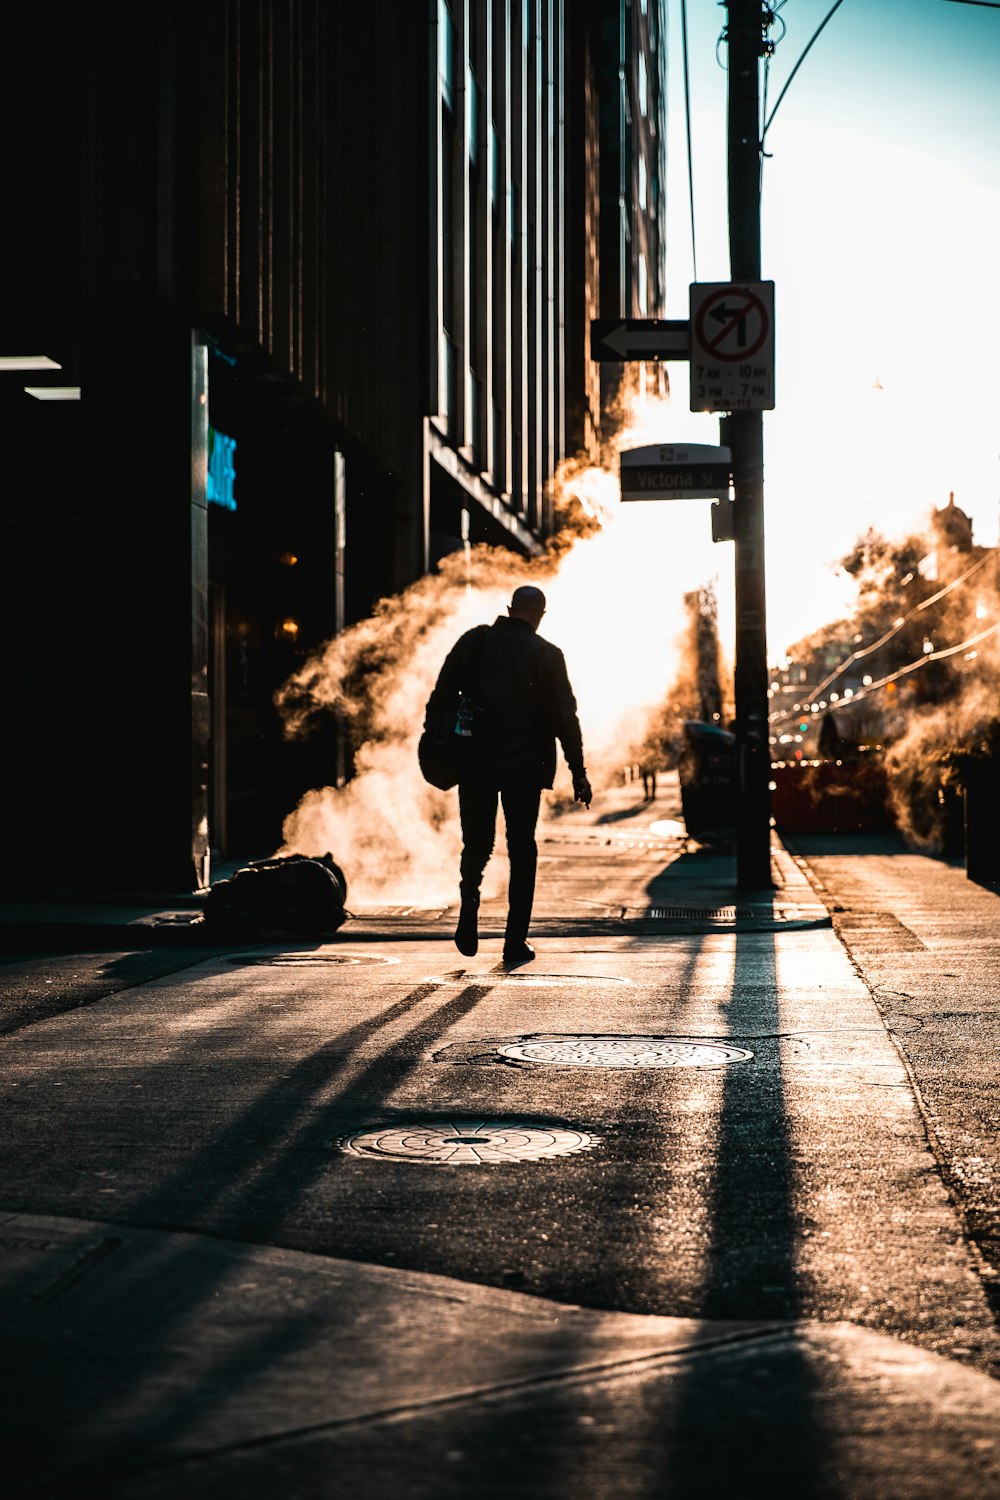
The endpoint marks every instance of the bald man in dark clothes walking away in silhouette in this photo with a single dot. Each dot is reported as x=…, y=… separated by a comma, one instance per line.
x=521, y=691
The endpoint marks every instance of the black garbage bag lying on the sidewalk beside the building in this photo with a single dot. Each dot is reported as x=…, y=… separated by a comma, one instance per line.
x=295, y=893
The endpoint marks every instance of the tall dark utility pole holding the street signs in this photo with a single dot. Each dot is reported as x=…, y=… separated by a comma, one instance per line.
x=744, y=436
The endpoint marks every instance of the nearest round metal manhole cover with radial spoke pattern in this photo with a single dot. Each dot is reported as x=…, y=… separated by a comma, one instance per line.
x=469, y=1144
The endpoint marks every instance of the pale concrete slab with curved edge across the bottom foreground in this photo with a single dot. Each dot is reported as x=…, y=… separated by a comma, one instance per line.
x=311, y=1378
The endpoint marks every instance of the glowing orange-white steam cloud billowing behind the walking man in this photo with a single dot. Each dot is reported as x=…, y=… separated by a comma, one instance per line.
x=615, y=581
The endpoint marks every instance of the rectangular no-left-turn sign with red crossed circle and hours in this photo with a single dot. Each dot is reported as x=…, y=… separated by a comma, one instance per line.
x=732, y=346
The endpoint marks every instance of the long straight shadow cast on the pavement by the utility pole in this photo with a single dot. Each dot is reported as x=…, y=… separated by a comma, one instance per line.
x=768, y=1402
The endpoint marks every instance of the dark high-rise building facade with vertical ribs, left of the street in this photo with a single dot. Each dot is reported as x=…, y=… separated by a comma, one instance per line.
x=314, y=283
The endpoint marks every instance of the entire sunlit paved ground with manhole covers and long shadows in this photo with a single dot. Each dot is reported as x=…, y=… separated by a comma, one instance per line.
x=758, y=1274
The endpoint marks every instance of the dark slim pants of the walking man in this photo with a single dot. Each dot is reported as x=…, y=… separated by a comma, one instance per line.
x=521, y=799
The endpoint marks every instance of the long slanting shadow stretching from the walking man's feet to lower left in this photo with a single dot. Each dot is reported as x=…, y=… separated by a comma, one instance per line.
x=266, y=1157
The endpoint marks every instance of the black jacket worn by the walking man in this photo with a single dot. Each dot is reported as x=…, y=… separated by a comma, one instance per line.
x=522, y=689
